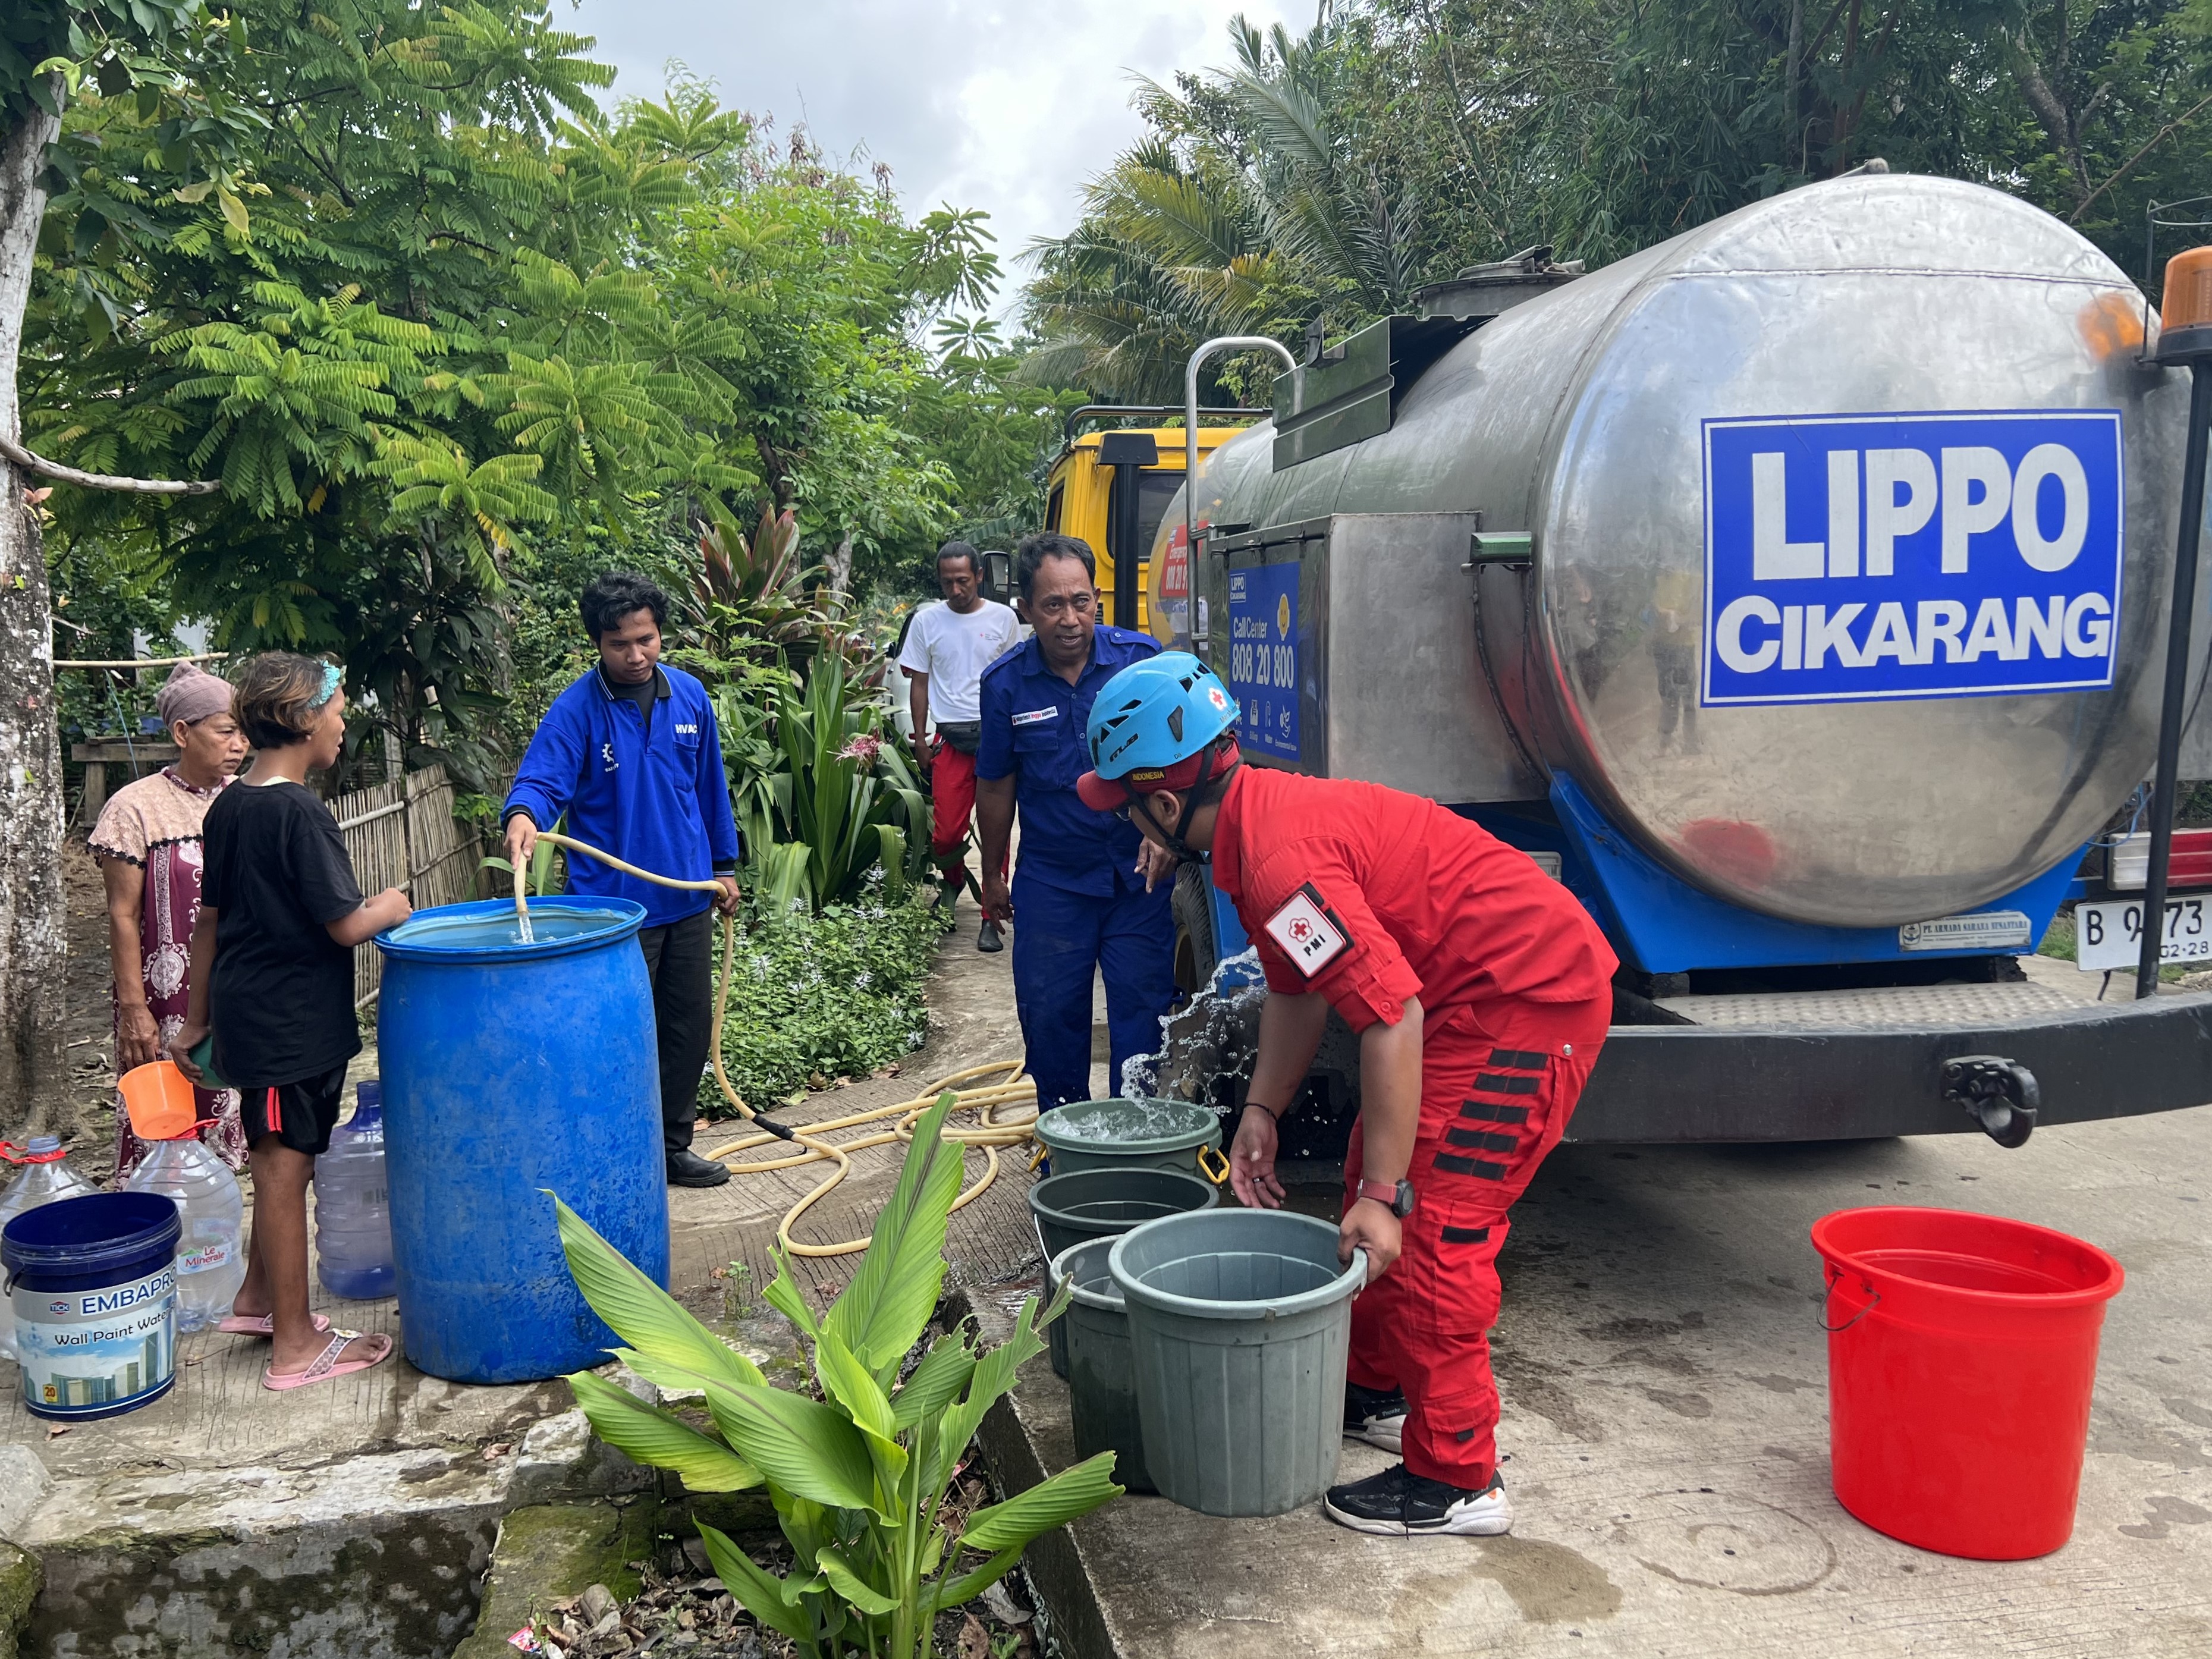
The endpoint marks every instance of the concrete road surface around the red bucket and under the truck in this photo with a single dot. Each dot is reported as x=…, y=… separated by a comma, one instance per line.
x=1667, y=1439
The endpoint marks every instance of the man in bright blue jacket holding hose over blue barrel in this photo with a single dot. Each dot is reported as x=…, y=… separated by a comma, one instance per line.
x=632, y=755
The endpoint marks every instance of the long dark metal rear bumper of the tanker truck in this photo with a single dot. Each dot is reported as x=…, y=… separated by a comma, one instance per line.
x=1738, y=1083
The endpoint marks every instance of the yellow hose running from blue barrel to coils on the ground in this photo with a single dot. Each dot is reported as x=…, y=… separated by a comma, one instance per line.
x=985, y=1100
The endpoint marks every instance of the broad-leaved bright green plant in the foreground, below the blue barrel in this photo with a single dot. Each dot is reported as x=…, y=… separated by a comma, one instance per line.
x=859, y=1477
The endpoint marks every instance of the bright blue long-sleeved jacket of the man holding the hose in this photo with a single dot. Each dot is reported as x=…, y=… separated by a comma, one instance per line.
x=658, y=800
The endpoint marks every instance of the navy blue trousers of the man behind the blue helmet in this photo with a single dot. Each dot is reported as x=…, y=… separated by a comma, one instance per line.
x=1058, y=941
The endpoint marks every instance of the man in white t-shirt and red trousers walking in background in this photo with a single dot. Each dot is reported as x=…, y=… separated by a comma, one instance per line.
x=948, y=649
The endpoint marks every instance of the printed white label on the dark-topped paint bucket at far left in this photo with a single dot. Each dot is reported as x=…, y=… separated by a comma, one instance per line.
x=96, y=1350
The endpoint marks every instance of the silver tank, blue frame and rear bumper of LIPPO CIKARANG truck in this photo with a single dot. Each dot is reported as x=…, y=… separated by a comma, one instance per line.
x=1795, y=592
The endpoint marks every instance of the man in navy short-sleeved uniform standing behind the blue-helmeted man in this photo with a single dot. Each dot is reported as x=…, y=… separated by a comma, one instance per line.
x=1078, y=901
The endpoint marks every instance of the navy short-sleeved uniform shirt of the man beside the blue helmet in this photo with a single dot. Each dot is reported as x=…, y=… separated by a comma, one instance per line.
x=1034, y=731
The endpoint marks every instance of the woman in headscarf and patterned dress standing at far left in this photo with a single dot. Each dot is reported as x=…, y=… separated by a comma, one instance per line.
x=149, y=855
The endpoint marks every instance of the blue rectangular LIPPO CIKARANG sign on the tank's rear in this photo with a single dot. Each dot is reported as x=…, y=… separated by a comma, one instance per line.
x=1866, y=559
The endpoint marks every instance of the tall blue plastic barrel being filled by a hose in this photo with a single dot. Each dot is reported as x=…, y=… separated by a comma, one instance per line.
x=517, y=1070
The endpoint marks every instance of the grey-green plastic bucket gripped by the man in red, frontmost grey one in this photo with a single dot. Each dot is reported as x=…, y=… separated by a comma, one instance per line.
x=1240, y=1326
